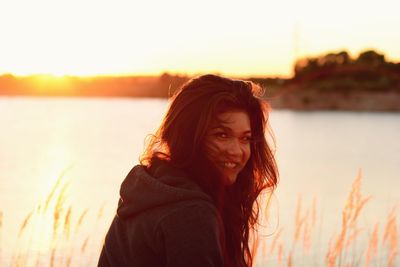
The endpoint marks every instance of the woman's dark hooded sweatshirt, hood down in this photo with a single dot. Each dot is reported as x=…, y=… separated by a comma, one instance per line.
x=163, y=219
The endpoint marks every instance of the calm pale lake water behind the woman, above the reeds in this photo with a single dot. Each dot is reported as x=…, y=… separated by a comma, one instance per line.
x=97, y=141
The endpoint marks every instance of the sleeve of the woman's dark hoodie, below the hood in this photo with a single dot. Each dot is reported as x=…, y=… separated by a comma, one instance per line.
x=191, y=236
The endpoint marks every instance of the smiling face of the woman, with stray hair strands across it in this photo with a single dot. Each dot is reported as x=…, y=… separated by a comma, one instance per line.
x=227, y=143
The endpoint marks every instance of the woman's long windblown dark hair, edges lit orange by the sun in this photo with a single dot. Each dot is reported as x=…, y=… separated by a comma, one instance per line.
x=180, y=140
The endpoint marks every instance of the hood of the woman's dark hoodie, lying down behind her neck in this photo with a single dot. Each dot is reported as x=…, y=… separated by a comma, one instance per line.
x=143, y=190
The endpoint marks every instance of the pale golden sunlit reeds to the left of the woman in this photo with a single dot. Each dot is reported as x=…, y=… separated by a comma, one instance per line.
x=49, y=235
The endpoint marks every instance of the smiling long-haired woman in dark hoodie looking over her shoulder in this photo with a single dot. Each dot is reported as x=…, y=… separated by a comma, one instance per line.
x=193, y=199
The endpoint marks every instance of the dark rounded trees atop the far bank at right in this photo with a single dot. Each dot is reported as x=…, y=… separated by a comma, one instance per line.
x=338, y=71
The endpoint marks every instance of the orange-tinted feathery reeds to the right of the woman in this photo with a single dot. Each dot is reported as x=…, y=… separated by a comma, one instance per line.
x=351, y=245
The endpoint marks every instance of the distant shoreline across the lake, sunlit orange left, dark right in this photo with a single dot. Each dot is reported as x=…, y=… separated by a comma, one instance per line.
x=351, y=87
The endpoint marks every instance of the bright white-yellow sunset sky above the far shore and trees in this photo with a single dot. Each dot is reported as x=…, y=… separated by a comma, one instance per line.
x=239, y=38
